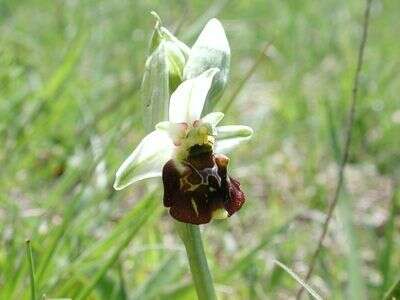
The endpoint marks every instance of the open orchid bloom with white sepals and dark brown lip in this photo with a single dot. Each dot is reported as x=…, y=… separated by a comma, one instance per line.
x=188, y=151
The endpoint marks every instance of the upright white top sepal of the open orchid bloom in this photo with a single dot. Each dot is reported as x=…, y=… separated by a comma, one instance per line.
x=187, y=101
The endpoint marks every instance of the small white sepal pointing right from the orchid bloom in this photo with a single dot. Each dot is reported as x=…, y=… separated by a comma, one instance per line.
x=228, y=137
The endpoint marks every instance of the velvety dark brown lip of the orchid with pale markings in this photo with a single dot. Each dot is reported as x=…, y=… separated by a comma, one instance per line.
x=195, y=188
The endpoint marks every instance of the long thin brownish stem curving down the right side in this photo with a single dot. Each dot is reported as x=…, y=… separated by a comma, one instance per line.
x=347, y=143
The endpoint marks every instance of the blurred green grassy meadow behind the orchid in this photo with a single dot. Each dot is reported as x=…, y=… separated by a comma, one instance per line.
x=70, y=113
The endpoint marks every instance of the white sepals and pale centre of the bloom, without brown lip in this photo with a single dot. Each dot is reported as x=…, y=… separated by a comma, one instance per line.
x=172, y=139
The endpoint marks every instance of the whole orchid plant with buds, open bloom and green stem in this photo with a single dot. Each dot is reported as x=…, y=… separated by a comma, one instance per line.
x=186, y=148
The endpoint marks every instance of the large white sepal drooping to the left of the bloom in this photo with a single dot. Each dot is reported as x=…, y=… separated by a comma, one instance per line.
x=146, y=161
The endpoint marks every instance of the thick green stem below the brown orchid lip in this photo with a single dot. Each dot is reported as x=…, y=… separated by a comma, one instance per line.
x=191, y=237
